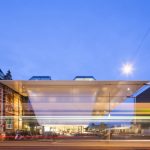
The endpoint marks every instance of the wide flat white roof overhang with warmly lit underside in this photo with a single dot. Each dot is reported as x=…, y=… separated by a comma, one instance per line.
x=22, y=85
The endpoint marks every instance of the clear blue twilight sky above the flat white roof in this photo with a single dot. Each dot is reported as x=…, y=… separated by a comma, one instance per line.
x=65, y=38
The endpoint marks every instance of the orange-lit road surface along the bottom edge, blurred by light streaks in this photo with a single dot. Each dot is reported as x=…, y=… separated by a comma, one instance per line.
x=75, y=145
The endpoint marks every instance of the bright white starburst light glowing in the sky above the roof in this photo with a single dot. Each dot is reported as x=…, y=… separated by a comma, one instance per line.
x=127, y=69
